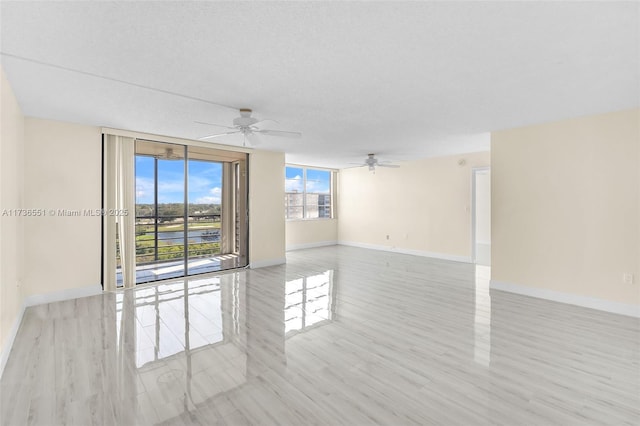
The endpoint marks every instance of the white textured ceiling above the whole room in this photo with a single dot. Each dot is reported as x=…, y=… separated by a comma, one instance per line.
x=402, y=79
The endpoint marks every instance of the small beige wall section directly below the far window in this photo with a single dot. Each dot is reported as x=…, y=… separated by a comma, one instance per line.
x=308, y=233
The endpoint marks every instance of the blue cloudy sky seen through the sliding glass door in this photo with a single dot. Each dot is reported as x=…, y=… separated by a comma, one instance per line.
x=205, y=181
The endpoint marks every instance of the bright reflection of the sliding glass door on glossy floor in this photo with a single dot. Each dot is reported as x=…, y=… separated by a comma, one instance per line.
x=182, y=343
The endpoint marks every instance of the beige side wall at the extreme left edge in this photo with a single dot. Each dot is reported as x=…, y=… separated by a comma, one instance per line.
x=11, y=227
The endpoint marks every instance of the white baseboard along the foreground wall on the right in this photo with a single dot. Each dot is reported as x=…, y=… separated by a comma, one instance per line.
x=571, y=299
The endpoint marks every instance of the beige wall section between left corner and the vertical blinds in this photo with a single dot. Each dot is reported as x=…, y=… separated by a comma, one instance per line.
x=62, y=171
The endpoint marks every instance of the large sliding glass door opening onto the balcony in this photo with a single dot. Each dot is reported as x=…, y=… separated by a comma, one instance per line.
x=190, y=210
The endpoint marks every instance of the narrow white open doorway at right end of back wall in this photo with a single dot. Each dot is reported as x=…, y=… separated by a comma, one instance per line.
x=481, y=216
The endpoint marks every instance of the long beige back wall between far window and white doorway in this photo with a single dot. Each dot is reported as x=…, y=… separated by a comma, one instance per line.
x=424, y=206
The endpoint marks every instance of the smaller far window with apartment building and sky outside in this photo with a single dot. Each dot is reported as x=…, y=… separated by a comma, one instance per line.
x=308, y=193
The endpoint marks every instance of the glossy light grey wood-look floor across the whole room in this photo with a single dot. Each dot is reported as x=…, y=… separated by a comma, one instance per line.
x=338, y=336
